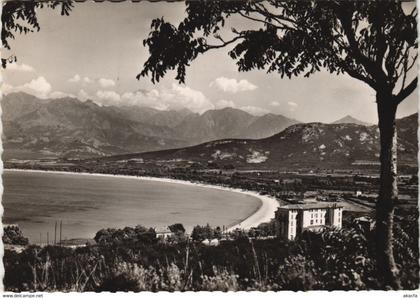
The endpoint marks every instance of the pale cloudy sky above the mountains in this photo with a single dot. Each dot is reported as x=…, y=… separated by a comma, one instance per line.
x=96, y=53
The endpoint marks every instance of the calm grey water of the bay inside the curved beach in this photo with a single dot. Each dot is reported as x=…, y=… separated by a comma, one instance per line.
x=88, y=203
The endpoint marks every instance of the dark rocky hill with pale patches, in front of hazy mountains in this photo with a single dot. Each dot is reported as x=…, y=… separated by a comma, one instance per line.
x=300, y=145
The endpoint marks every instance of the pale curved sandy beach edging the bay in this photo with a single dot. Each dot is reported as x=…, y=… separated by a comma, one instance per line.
x=263, y=214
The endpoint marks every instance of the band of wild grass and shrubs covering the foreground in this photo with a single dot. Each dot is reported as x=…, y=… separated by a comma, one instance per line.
x=330, y=259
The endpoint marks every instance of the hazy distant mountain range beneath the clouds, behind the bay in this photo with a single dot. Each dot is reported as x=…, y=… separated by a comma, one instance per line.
x=69, y=128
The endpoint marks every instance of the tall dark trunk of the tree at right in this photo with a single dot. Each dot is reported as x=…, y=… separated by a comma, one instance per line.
x=388, y=192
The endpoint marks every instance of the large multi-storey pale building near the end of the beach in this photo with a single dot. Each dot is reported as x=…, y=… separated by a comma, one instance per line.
x=292, y=220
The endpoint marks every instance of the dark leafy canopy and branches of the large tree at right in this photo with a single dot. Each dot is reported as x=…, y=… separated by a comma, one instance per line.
x=294, y=38
